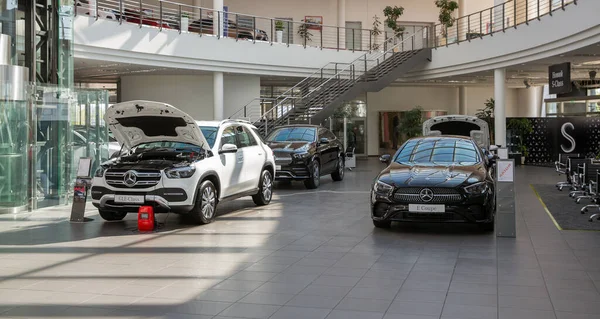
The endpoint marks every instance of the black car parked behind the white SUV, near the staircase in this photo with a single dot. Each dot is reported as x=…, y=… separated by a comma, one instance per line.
x=305, y=153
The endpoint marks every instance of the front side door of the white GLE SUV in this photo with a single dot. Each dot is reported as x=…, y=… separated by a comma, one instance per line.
x=231, y=164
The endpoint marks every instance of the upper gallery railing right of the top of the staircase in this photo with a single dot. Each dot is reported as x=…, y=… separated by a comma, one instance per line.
x=498, y=18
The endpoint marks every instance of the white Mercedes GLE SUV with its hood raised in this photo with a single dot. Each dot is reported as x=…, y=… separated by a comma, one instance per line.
x=176, y=164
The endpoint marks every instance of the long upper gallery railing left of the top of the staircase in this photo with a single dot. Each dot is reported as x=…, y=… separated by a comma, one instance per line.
x=168, y=14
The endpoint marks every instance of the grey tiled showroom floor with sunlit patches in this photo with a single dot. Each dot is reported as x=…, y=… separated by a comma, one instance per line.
x=307, y=255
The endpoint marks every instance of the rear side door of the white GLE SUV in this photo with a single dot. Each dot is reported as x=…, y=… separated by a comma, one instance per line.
x=253, y=158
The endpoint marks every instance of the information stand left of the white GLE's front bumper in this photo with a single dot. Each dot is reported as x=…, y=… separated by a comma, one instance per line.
x=80, y=190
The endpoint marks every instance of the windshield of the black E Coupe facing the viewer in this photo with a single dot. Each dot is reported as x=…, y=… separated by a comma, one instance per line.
x=438, y=151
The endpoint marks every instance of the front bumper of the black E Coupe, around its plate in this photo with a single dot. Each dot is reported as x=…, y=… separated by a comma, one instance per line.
x=476, y=209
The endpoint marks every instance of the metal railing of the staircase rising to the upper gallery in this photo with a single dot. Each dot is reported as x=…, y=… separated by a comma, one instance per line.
x=349, y=75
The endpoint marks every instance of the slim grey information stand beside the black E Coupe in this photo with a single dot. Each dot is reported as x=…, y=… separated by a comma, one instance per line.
x=505, y=198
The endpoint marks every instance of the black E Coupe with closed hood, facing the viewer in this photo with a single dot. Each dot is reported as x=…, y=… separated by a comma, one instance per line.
x=435, y=179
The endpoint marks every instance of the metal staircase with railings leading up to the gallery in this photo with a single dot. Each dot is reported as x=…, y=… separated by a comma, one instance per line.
x=316, y=97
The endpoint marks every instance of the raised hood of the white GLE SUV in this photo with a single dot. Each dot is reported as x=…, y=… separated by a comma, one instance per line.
x=135, y=122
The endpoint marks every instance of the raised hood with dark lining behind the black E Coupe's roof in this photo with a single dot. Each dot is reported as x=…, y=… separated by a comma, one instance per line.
x=460, y=125
